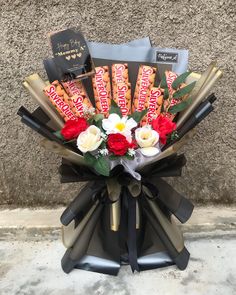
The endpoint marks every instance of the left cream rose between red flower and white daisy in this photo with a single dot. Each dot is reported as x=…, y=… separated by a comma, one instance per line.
x=90, y=139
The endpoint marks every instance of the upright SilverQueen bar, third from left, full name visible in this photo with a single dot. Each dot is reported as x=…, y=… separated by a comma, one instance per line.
x=102, y=90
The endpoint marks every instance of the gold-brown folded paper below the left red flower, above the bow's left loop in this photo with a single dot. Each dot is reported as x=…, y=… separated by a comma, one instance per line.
x=63, y=152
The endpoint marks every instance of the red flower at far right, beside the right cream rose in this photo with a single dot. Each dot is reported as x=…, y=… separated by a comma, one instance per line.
x=163, y=126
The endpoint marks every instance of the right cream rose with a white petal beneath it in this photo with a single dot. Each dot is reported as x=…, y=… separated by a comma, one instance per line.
x=147, y=139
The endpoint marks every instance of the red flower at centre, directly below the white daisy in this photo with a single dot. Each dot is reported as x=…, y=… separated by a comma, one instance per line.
x=118, y=144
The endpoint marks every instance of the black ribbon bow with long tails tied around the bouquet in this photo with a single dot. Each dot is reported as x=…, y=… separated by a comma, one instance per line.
x=161, y=193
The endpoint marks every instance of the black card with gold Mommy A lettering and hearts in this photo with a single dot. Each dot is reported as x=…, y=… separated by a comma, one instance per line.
x=71, y=54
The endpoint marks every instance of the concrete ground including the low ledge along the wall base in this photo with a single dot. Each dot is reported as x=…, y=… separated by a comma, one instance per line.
x=30, y=253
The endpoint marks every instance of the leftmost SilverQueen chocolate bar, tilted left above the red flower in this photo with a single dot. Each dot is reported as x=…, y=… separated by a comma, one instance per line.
x=61, y=100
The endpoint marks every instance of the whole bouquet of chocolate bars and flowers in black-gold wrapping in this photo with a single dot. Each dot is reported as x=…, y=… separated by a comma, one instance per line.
x=121, y=139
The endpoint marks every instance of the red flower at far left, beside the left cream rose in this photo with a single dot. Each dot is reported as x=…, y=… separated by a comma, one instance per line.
x=73, y=128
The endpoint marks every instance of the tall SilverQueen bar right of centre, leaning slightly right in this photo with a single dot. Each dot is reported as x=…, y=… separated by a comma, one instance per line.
x=145, y=81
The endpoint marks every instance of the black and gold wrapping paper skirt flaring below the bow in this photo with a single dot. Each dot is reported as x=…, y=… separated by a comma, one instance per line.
x=147, y=236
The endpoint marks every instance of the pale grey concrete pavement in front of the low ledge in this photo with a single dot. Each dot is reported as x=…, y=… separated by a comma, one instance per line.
x=30, y=268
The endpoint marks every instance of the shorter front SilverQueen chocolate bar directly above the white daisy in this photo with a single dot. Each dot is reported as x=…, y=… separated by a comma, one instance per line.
x=122, y=96
